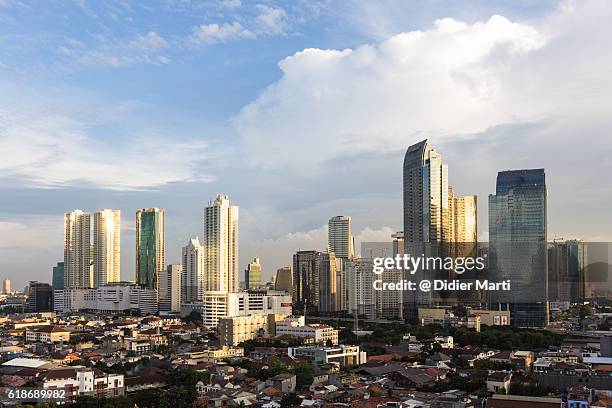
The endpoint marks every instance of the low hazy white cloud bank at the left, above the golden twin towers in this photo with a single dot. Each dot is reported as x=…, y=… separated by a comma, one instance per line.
x=47, y=148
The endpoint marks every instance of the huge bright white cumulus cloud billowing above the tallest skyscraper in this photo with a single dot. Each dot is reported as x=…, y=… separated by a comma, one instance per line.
x=447, y=80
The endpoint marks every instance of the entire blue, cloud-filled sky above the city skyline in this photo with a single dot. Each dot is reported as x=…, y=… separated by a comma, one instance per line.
x=298, y=110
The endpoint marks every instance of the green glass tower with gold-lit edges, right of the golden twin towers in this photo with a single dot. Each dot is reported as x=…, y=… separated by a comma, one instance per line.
x=150, y=246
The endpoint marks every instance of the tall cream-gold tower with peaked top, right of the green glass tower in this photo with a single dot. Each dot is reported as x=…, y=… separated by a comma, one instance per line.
x=221, y=245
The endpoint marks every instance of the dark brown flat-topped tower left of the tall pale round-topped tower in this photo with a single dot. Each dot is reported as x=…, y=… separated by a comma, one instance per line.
x=306, y=276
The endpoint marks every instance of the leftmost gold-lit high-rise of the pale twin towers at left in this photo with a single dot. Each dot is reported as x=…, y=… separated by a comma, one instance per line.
x=77, y=250
